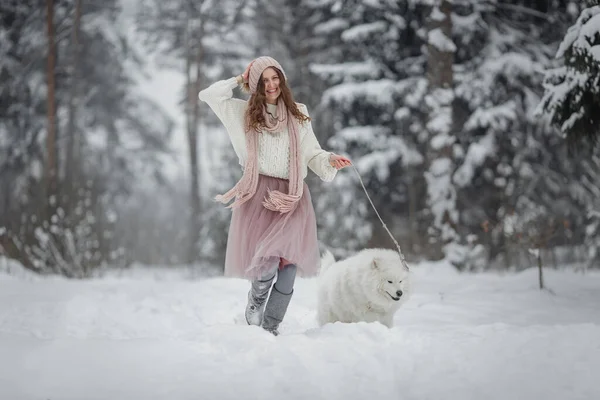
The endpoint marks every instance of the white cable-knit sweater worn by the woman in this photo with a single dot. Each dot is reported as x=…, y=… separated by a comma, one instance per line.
x=273, y=148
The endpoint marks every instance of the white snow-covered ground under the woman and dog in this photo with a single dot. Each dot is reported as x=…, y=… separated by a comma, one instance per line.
x=160, y=335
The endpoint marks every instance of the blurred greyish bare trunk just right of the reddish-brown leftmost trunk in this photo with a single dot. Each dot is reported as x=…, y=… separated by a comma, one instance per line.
x=70, y=188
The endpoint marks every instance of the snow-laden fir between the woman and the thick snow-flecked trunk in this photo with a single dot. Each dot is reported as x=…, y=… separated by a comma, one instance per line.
x=375, y=74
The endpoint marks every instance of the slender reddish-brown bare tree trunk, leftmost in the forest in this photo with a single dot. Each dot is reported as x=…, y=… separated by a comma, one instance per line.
x=52, y=177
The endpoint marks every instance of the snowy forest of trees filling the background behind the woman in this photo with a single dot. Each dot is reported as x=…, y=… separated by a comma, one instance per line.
x=471, y=122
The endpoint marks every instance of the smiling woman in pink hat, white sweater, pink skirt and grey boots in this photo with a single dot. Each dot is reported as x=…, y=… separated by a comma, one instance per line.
x=273, y=228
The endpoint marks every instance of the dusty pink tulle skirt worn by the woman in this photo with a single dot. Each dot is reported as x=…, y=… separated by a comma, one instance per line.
x=259, y=238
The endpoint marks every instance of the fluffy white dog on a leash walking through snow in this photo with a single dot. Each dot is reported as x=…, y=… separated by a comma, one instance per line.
x=370, y=286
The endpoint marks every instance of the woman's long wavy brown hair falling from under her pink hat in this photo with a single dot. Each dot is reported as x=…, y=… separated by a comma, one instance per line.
x=254, y=114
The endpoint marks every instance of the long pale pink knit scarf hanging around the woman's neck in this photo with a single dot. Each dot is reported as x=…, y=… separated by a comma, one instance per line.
x=246, y=186
